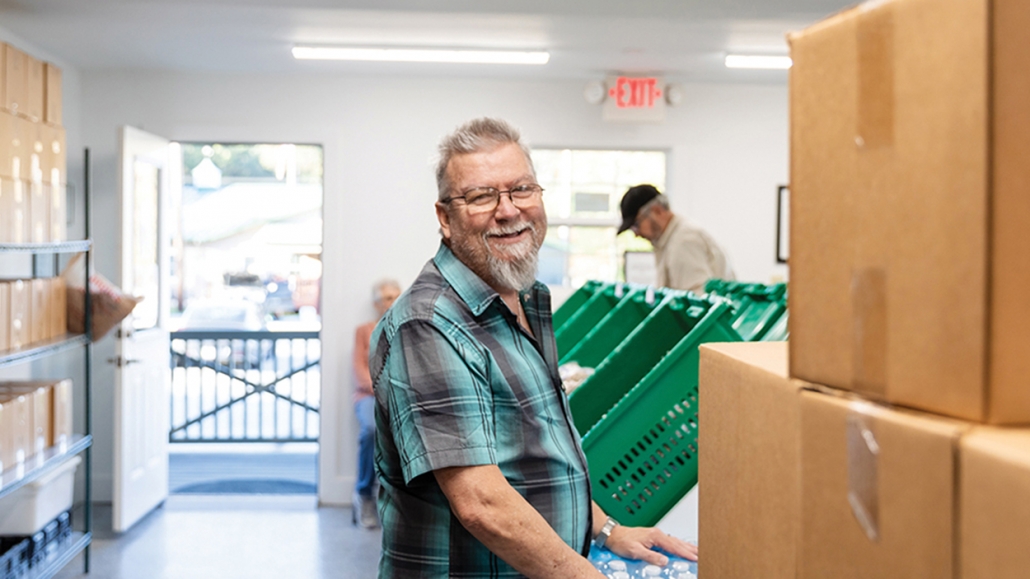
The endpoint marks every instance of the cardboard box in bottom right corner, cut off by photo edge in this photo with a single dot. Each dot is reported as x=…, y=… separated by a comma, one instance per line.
x=995, y=504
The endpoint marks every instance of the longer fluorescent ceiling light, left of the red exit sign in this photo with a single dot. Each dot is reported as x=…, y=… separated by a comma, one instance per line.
x=421, y=55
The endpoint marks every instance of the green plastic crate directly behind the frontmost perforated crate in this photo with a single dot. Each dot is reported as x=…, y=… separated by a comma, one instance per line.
x=636, y=356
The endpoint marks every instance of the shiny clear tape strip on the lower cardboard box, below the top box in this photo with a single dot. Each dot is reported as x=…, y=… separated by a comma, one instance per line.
x=864, y=457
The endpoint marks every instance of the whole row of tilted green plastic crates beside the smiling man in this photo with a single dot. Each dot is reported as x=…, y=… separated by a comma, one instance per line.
x=638, y=413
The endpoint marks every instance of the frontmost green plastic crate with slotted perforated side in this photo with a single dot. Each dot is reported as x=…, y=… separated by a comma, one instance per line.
x=643, y=455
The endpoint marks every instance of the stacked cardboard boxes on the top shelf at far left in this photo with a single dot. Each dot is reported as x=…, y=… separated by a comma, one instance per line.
x=32, y=151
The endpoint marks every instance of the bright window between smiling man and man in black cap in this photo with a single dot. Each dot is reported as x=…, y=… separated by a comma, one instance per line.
x=582, y=194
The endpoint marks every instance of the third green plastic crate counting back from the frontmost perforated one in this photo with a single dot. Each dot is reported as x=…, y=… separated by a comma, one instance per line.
x=614, y=328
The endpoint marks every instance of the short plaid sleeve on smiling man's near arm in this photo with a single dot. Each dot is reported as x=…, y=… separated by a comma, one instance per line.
x=439, y=397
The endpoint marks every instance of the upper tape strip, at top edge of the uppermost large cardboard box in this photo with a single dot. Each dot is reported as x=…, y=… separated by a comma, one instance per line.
x=876, y=78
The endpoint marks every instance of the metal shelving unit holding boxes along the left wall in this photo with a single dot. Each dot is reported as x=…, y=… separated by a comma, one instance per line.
x=36, y=467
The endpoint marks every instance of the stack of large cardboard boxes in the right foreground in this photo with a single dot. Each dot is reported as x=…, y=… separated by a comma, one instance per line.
x=906, y=408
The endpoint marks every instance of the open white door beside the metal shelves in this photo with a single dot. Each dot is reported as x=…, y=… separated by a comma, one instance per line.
x=143, y=379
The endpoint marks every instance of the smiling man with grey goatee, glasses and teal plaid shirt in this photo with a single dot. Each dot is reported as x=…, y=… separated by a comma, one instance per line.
x=482, y=471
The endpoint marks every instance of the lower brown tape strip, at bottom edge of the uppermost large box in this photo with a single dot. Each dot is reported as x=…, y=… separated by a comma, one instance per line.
x=869, y=299
